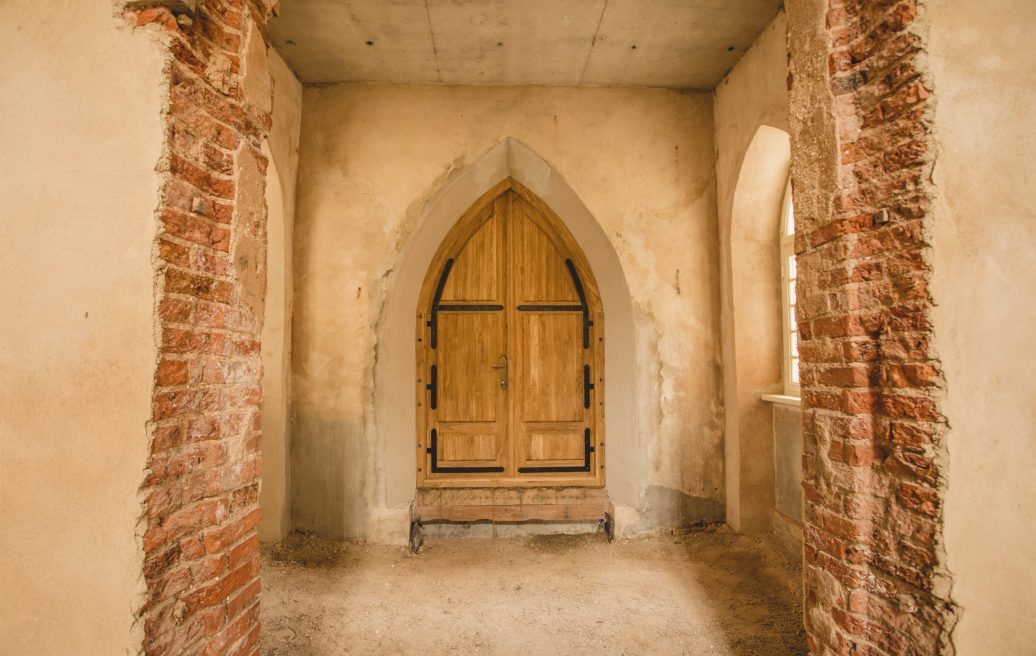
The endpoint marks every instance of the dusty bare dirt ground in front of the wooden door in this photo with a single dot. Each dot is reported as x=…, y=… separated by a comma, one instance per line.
x=703, y=593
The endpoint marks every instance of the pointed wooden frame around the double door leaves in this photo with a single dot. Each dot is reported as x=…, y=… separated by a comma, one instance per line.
x=458, y=236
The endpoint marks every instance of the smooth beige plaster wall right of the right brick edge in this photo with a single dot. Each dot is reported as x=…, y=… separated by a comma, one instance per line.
x=985, y=282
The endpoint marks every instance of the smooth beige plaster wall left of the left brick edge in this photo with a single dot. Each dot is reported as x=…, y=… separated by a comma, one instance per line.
x=81, y=100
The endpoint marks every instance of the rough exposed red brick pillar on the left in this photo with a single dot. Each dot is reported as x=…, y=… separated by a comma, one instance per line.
x=202, y=490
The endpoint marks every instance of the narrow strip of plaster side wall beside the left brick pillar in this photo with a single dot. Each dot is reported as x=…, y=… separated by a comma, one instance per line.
x=281, y=178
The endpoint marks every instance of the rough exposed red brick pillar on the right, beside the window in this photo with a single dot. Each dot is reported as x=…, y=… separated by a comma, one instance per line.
x=874, y=466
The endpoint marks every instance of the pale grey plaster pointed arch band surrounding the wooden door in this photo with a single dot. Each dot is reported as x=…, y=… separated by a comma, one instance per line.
x=394, y=390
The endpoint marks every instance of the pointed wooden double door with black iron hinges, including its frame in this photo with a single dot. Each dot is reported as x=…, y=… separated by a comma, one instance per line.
x=510, y=353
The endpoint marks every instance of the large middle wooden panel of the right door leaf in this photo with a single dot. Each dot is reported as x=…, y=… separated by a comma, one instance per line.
x=552, y=367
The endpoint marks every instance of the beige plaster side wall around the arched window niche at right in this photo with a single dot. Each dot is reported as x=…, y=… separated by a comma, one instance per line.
x=753, y=163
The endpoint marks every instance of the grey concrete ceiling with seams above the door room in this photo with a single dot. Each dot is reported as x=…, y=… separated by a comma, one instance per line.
x=678, y=44
